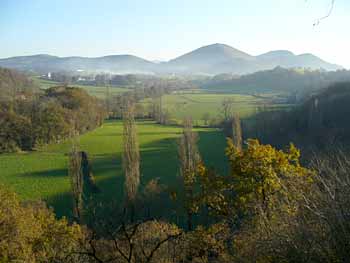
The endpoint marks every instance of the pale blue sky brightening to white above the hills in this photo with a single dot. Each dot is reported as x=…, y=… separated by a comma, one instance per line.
x=165, y=29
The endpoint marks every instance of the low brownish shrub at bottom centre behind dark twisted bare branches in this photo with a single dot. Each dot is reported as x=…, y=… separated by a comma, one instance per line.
x=140, y=242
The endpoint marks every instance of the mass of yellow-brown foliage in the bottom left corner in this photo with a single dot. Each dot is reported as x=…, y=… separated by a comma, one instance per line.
x=31, y=233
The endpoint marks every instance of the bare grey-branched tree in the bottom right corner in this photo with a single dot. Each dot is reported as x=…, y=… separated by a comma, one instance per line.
x=329, y=204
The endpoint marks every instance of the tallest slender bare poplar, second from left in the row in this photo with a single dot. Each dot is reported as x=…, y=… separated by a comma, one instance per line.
x=131, y=158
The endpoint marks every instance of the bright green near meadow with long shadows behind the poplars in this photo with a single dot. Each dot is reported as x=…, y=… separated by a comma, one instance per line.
x=42, y=174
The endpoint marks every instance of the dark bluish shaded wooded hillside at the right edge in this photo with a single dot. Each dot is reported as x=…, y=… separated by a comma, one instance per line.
x=320, y=122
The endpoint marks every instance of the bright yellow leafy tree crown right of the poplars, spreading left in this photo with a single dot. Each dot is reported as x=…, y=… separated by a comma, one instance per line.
x=262, y=180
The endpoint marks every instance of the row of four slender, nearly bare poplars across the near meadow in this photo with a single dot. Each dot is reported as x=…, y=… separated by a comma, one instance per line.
x=189, y=160
